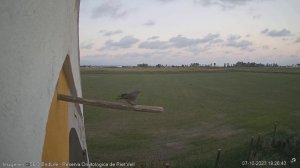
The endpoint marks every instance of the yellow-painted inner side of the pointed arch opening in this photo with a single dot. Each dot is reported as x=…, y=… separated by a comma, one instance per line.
x=56, y=145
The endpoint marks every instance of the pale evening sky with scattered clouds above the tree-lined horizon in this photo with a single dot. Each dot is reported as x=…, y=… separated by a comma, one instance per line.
x=176, y=32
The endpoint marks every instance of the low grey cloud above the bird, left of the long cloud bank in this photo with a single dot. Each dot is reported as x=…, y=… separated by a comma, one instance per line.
x=125, y=42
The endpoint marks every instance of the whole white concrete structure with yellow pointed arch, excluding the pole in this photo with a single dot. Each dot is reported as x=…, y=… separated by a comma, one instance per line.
x=39, y=58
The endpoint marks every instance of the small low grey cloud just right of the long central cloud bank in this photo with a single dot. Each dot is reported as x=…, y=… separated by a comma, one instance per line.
x=236, y=42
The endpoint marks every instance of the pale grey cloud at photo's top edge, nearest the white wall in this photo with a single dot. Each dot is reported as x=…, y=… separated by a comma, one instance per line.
x=112, y=9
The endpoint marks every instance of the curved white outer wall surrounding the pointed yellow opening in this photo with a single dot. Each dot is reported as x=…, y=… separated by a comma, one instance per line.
x=35, y=37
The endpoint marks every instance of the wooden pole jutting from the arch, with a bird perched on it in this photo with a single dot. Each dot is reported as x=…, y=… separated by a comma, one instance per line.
x=112, y=105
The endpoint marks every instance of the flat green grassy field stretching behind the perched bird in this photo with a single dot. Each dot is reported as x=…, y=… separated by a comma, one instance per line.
x=204, y=111
